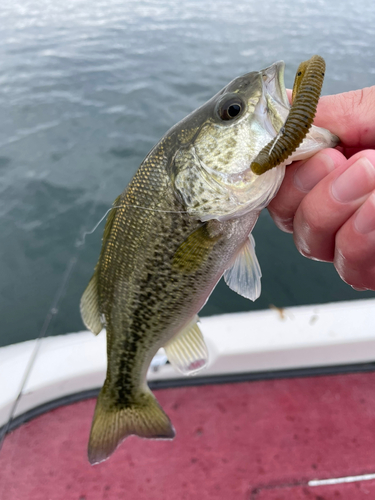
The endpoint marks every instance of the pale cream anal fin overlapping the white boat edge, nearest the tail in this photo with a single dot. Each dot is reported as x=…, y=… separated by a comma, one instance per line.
x=187, y=351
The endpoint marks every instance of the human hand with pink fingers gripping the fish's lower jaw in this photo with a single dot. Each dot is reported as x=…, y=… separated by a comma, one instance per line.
x=328, y=201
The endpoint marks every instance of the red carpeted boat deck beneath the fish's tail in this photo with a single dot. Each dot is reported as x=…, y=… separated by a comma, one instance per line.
x=252, y=441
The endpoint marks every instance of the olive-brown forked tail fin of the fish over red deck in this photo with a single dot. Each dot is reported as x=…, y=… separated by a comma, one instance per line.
x=112, y=423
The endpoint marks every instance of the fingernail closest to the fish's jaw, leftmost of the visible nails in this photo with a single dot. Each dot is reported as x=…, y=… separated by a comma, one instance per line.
x=313, y=171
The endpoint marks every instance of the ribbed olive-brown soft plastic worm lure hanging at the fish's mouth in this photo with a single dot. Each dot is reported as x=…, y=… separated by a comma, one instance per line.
x=306, y=92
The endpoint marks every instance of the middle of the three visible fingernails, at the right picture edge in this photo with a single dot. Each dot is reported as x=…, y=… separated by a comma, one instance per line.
x=355, y=182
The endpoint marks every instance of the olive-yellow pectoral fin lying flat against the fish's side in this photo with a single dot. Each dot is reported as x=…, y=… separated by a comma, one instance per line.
x=194, y=251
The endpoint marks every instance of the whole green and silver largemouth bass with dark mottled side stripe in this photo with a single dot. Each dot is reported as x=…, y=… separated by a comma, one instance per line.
x=183, y=222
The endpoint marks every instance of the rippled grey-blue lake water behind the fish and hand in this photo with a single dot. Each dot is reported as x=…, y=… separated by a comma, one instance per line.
x=87, y=88
